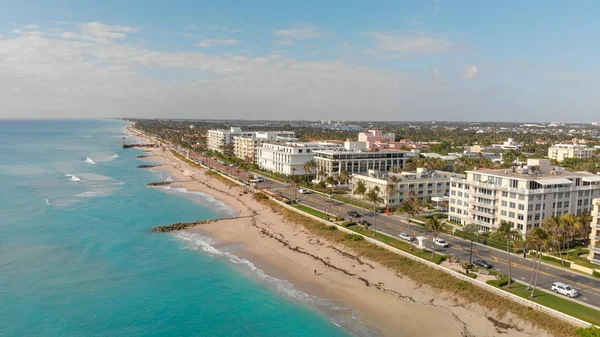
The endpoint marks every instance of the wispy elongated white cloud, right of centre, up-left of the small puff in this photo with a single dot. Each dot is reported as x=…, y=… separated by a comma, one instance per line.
x=410, y=44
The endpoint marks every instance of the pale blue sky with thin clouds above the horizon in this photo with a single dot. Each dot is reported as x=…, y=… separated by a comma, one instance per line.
x=508, y=61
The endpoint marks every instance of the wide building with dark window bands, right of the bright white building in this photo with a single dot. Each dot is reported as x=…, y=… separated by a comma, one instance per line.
x=332, y=162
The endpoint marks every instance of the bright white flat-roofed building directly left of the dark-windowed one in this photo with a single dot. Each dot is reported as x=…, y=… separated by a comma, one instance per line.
x=289, y=158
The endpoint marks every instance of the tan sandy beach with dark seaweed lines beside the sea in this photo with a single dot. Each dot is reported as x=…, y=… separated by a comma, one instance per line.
x=390, y=303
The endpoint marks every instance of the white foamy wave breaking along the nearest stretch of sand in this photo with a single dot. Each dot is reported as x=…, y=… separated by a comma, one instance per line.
x=341, y=316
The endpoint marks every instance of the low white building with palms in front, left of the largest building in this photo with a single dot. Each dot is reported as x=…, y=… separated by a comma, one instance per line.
x=421, y=184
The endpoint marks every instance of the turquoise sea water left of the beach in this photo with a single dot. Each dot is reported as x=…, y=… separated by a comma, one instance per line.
x=77, y=259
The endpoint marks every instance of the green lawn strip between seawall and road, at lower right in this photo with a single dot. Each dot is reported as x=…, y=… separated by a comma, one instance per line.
x=557, y=302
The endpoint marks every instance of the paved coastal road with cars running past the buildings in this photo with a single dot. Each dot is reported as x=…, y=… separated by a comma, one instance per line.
x=588, y=287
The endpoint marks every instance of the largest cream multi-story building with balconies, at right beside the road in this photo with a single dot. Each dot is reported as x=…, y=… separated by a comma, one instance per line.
x=522, y=196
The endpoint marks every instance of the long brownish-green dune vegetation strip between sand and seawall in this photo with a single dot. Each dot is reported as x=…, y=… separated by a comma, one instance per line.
x=423, y=274
